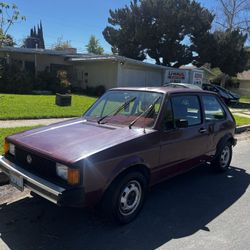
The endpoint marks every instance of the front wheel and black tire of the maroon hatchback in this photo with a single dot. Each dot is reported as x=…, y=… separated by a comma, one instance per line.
x=125, y=197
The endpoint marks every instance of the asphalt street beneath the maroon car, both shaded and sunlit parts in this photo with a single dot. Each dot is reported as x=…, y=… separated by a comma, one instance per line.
x=198, y=210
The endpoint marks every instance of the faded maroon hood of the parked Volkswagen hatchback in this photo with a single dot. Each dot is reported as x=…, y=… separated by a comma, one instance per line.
x=73, y=140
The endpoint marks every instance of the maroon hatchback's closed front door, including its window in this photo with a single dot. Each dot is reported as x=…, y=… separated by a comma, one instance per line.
x=182, y=148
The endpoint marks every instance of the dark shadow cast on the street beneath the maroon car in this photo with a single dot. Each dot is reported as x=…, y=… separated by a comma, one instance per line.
x=174, y=209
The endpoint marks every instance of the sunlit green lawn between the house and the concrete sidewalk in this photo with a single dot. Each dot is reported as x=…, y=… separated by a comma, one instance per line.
x=40, y=106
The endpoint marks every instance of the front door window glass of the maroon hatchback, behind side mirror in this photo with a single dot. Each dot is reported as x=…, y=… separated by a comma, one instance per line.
x=188, y=108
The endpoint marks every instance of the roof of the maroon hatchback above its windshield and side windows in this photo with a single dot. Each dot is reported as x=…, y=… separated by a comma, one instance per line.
x=162, y=89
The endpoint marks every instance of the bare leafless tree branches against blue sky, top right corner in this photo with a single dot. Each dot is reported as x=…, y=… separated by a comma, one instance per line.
x=234, y=14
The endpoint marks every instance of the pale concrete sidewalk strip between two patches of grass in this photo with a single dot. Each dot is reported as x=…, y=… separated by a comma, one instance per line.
x=30, y=122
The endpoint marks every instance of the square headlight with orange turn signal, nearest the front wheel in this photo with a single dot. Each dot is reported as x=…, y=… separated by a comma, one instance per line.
x=68, y=174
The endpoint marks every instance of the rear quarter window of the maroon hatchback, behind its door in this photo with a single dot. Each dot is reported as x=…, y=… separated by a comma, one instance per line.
x=212, y=108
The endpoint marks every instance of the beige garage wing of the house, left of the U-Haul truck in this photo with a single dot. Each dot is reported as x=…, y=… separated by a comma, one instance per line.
x=114, y=71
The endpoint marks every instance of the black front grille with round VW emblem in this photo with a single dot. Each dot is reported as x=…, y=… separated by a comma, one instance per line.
x=37, y=165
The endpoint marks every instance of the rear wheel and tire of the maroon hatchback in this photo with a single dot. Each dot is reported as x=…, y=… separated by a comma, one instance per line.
x=223, y=157
